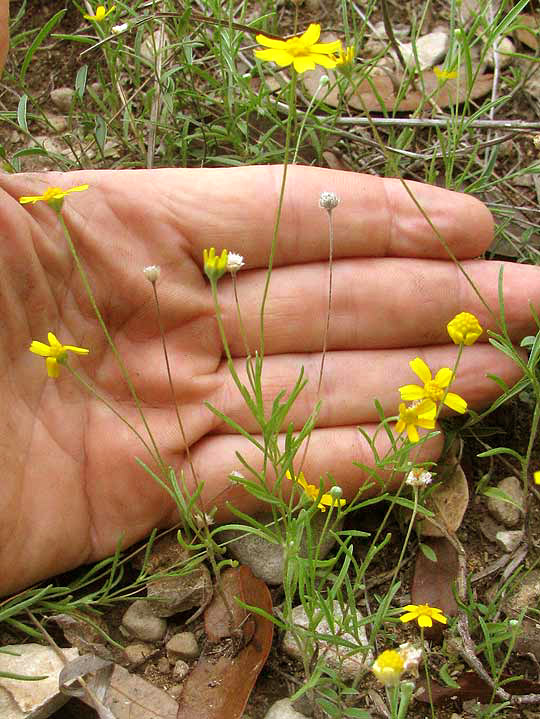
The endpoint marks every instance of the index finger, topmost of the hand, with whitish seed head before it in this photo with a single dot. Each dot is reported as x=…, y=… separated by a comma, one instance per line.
x=376, y=217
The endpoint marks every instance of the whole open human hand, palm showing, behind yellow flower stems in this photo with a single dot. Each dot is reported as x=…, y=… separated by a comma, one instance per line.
x=70, y=484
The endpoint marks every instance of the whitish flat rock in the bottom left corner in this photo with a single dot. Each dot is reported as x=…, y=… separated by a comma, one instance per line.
x=21, y=699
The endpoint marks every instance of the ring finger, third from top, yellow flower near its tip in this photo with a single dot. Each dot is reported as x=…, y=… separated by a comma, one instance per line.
x=352, y=381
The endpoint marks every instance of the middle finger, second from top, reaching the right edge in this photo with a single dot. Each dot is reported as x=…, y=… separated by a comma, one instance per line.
x=376, y=303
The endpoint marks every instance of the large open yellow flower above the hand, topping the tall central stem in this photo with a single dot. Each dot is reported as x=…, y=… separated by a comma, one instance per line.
x=303, y=51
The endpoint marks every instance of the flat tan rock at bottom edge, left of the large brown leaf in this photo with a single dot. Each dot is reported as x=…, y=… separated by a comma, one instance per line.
x=129, y=696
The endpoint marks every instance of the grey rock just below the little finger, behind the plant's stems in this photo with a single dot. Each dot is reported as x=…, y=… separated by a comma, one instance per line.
x=266, y=559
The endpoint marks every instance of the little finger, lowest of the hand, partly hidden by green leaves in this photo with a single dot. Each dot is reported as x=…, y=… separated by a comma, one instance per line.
x=330, y=452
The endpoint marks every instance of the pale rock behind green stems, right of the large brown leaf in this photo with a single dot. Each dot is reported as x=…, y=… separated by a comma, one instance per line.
x=346, y=661
